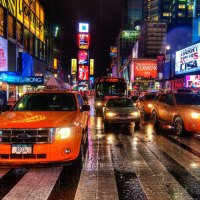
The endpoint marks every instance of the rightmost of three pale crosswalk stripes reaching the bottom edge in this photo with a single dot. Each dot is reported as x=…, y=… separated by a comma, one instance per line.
x=157, y=182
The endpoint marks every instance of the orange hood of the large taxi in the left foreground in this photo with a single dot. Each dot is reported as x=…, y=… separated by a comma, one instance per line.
x=35, y=119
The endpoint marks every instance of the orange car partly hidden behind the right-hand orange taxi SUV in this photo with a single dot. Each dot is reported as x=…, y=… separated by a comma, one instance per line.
x=145, y=103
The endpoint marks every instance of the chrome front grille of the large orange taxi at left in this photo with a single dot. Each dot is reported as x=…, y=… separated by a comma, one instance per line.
x=26, y=136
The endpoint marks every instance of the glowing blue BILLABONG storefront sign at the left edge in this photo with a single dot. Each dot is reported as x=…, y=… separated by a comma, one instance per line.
x=14, y=78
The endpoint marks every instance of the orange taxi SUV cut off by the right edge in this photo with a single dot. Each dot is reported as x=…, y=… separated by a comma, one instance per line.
x=180, y=110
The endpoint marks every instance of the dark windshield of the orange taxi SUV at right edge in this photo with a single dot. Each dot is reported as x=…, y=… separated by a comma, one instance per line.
x=187, y=99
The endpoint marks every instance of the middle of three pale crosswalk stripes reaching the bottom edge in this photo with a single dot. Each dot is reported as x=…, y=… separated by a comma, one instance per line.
x=97, y=180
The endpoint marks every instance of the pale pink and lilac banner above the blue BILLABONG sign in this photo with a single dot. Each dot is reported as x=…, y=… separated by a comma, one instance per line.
x=3, y=54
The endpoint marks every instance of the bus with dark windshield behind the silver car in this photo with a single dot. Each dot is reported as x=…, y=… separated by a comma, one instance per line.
x=108, y=87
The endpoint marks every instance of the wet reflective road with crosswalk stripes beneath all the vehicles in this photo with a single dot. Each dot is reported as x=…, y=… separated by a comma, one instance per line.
x=119, y=163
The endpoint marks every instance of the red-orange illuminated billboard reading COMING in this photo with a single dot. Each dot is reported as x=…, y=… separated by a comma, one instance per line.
x=143, y=69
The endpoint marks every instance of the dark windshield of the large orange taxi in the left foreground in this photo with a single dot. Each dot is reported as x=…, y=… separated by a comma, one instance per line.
x=46, y=102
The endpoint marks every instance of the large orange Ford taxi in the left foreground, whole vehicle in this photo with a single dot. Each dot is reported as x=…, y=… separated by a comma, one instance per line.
x=47, y=126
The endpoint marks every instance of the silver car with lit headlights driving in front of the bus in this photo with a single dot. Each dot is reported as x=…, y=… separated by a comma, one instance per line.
x=120, y=110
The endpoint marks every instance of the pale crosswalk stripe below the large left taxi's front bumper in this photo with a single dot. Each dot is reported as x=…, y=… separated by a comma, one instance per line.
x=36, y=184
